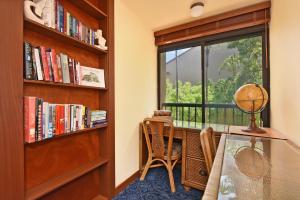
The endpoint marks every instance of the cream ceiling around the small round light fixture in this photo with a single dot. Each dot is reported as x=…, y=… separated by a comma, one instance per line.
x=160, y=14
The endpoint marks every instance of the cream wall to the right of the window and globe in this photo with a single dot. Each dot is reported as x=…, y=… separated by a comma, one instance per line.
x=285, y=67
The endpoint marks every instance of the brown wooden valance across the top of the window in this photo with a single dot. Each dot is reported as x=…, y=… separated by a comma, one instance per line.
x=258, y=14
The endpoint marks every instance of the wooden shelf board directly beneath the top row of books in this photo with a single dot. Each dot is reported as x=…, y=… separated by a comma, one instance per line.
x=50, y=32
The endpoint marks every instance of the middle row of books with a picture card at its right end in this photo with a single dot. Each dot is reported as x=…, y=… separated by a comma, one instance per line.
x=46, y=64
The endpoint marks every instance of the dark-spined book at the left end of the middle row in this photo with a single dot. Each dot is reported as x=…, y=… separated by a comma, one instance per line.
x=28, y=72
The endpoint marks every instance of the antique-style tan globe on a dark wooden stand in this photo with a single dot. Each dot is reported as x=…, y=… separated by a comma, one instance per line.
x=251, y=98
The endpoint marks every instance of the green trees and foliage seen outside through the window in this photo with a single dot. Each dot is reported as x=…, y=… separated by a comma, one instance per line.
x=243, y=67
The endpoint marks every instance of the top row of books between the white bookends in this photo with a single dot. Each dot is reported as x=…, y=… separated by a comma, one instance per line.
x=56, y=16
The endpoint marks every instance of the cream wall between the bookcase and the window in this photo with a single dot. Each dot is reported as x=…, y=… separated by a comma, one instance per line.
x=135, y=79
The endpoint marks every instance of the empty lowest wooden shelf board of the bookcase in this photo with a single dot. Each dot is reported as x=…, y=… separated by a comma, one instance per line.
x=54, y=183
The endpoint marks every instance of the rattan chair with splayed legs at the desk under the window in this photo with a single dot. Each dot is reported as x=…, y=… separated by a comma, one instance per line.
x=158, y=151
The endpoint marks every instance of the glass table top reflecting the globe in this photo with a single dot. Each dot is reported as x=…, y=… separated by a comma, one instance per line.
x=259, y=168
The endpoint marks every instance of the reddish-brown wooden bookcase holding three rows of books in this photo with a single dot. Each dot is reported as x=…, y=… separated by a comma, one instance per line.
x=79, y=164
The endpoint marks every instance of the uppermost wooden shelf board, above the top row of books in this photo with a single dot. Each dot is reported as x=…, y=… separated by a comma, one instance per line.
x=90, y=8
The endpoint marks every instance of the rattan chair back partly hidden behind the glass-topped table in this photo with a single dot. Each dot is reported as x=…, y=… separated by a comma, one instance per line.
x=208, y=146
